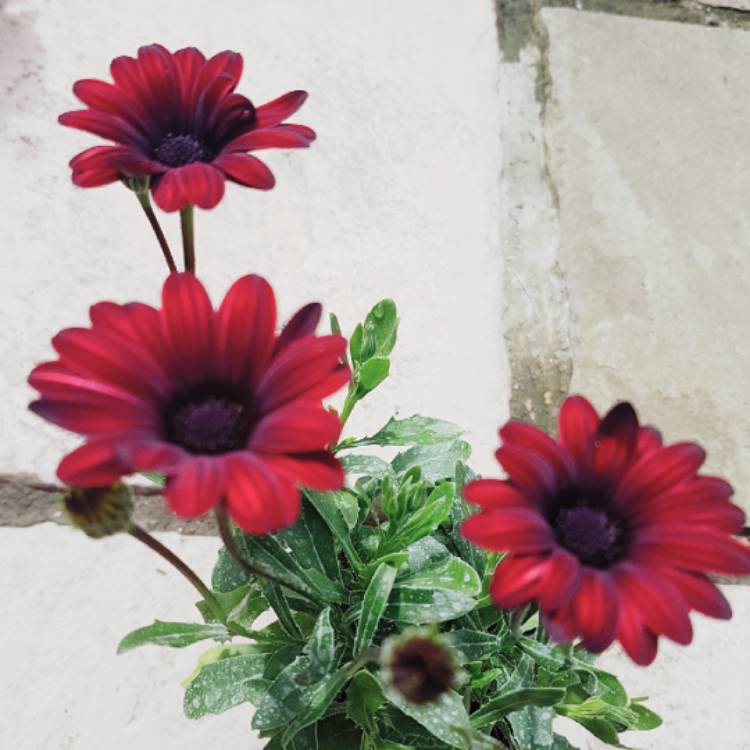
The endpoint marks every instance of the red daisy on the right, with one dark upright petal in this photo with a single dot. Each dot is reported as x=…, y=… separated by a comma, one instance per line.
x=609, y=531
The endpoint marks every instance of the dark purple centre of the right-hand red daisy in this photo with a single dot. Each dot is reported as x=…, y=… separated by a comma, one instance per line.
x=591, y=534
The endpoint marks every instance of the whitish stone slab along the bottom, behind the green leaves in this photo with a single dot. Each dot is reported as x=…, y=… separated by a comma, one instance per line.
x=70, y=600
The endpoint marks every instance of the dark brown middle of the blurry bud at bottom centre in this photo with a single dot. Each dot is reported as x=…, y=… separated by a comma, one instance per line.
x=421, y=670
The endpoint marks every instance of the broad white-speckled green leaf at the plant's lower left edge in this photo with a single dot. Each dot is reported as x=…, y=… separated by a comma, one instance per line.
x=225, y=683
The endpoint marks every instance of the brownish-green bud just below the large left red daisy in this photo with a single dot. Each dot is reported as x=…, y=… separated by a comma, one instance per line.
x=98, y=511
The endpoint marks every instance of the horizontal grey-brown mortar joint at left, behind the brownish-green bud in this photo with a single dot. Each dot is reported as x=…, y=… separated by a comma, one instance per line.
x=26, y=501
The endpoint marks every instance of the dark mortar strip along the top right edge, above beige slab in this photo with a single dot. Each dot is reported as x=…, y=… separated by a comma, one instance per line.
x=681, y=11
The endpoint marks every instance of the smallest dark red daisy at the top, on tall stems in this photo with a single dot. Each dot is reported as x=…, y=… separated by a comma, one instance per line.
x=176, y=118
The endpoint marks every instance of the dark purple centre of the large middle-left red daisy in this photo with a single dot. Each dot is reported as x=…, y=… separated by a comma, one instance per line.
x=210, y=425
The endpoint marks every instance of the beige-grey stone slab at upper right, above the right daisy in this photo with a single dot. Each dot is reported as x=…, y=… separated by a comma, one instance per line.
x=647, y=136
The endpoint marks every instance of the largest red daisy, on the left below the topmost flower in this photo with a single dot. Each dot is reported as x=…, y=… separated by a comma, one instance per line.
x=215, y=400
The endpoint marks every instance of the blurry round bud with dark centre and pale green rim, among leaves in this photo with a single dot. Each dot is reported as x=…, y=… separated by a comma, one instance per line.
x=419, y=664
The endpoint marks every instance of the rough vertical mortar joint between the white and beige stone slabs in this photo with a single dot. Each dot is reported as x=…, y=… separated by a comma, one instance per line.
x=536, y=310
